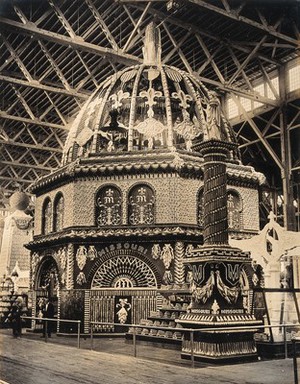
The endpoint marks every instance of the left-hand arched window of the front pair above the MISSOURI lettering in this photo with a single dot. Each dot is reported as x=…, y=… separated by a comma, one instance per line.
x=108, y=206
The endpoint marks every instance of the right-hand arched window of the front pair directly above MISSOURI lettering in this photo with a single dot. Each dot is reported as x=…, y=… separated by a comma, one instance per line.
x=141, y=205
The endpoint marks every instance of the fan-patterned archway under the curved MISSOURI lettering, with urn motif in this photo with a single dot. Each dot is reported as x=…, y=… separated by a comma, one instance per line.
x=123, y=291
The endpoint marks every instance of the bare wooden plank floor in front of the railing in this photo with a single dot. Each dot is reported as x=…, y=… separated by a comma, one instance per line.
x=31, y=360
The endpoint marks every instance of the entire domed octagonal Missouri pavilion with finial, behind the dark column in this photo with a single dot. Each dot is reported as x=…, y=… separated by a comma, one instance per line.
x=115, y=223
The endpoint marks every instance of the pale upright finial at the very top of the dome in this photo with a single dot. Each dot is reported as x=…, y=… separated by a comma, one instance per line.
x=152, y=45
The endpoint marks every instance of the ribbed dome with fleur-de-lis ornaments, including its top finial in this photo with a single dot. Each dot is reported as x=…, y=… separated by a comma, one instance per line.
x=145, y=107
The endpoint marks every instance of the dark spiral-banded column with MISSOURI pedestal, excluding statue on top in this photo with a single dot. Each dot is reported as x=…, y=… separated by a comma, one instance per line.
x=218, y=271
